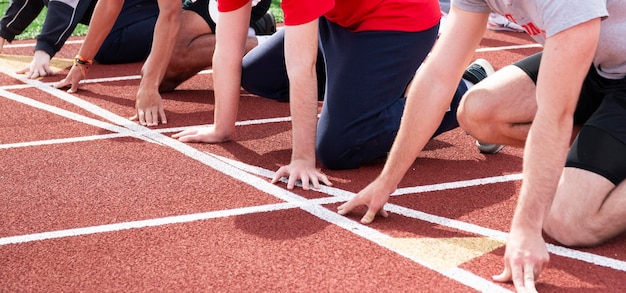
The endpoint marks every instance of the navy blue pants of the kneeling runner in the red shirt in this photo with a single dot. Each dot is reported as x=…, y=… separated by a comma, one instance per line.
x=362, y=77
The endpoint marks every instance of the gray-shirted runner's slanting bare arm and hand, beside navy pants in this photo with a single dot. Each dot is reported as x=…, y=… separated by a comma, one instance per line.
x=429, y=98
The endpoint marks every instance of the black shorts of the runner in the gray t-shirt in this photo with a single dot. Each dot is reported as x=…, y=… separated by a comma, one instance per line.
x=601, y=111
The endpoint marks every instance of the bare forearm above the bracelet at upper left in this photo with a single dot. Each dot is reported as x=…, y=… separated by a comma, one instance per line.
x=104, y=16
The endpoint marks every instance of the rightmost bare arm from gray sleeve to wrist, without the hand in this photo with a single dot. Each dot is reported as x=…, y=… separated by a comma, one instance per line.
x=570, y=51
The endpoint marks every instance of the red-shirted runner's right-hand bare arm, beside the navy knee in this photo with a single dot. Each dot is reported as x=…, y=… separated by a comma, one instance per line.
x=300, y=57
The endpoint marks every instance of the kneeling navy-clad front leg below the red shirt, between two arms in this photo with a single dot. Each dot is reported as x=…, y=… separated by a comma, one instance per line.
x=368, y=73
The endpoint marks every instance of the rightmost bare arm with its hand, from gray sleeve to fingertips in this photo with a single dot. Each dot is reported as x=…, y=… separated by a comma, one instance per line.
x=565, y=62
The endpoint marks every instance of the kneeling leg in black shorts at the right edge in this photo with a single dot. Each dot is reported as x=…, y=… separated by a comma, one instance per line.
x=590, y=202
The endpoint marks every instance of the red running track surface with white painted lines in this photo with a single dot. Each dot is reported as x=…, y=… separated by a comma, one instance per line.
x=93, y=202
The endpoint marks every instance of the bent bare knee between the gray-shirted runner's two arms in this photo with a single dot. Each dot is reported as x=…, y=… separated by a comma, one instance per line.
x=501, y=108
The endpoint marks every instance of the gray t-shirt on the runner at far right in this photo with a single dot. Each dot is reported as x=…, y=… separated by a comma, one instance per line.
x=544, y=18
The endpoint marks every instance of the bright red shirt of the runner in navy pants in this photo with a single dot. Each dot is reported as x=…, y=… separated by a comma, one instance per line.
x=358, y=15
